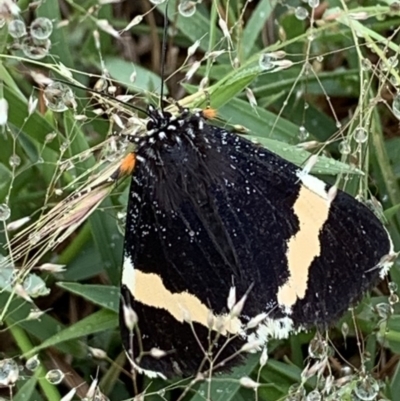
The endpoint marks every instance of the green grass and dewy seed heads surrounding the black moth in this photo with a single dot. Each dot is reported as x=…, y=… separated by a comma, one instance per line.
x=328, y=69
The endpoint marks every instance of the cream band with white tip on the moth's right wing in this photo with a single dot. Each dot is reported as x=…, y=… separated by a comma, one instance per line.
x=312, y=210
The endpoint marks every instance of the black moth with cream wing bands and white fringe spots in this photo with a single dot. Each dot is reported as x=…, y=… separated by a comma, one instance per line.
x=211, y=215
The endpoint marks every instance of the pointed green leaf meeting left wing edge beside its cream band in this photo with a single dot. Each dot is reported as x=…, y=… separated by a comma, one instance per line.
x=103, y=295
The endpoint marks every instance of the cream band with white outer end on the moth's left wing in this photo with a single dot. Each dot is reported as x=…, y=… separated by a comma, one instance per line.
x=149, y=289
